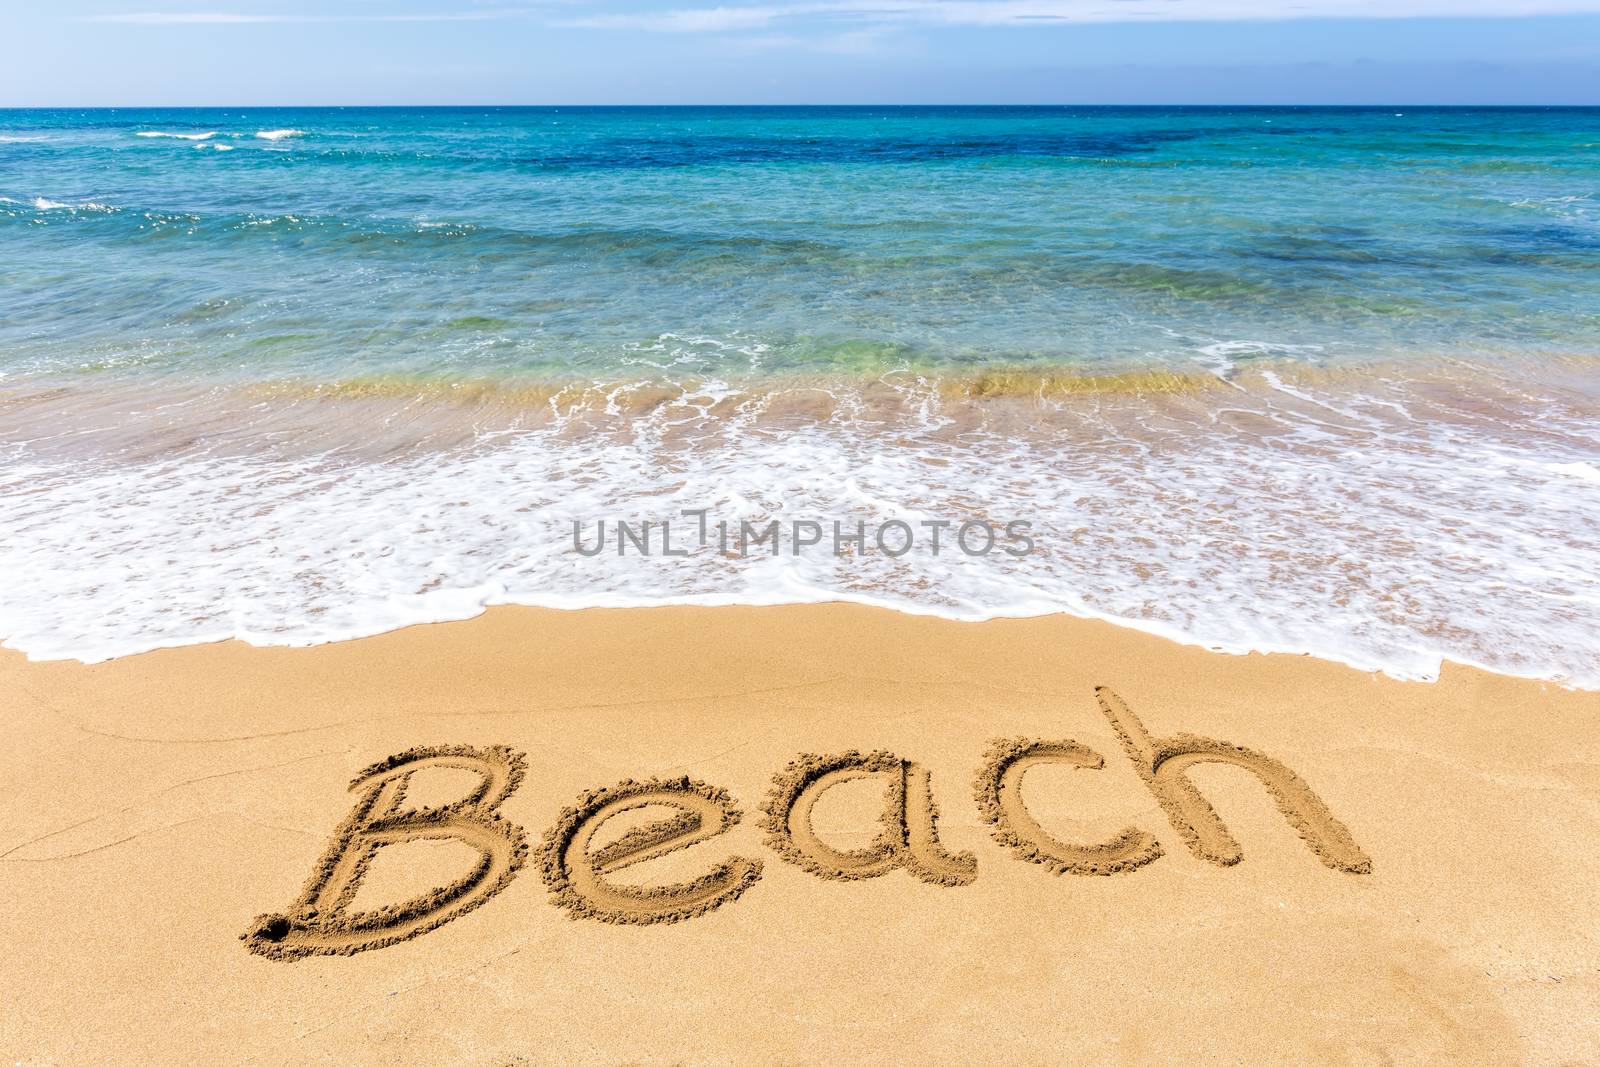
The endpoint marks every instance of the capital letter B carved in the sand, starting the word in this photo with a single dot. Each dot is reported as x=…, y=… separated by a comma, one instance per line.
x=321, y=922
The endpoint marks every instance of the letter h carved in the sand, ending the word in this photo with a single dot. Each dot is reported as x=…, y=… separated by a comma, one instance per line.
x=1164, y=765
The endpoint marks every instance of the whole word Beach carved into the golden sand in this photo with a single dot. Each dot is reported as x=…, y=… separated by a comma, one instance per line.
x=580, y=873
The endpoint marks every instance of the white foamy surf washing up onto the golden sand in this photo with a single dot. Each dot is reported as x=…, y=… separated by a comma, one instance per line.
x=1375, y=530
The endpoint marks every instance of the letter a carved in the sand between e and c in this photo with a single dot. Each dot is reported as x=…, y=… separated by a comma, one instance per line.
x=910, y=834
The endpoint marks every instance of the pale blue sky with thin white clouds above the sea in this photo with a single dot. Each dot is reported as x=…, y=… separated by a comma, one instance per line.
x=78, y=54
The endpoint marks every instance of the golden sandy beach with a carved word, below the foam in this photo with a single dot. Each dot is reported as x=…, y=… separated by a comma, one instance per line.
x=650, y=845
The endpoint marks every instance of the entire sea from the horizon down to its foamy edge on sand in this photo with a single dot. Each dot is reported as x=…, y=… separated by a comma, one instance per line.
x=1316, y=380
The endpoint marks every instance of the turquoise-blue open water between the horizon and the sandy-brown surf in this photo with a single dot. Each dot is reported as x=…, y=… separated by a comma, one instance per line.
x=558, y=241
